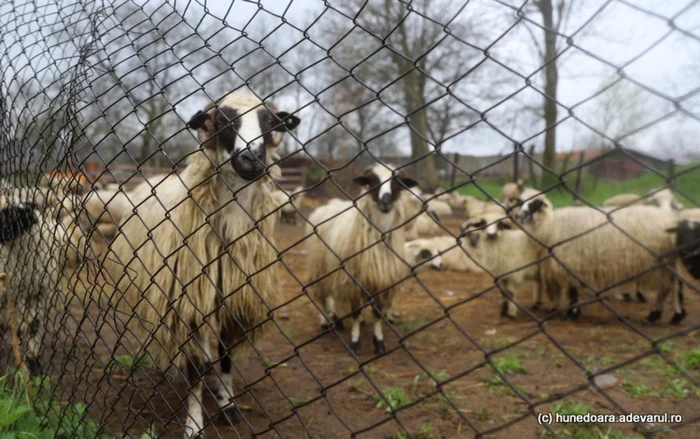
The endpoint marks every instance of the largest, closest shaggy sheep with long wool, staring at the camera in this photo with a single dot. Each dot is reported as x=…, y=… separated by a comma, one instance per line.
x=222, y=280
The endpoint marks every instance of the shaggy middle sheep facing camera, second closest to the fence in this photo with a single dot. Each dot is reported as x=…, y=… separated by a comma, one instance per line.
x=360, y=247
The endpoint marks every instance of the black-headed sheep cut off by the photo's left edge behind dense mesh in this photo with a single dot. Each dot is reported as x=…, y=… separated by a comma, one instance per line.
x=29, y=245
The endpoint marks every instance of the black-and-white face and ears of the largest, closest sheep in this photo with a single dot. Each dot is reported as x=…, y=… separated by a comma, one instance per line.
x=241, y=129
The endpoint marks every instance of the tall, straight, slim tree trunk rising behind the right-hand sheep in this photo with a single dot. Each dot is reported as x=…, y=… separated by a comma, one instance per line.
x=550, y=90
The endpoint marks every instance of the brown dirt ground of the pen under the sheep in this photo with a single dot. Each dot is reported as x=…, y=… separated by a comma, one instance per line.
x=302, y=383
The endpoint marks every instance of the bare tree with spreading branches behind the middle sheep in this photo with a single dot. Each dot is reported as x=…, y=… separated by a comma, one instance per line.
x=404, y=58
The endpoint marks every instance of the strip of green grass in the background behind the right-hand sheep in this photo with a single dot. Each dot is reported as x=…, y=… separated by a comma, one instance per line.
x=597, y=192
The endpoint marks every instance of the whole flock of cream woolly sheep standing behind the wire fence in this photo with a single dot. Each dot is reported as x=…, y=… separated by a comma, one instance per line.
x=193, y=262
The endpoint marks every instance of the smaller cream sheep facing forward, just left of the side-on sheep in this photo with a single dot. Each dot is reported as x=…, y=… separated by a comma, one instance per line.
x=509, y=255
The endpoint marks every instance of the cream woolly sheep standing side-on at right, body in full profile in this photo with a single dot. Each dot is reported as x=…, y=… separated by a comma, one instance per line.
x=584, y=241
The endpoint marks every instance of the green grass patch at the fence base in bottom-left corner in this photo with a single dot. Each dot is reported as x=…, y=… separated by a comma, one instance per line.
x=29, y=409
